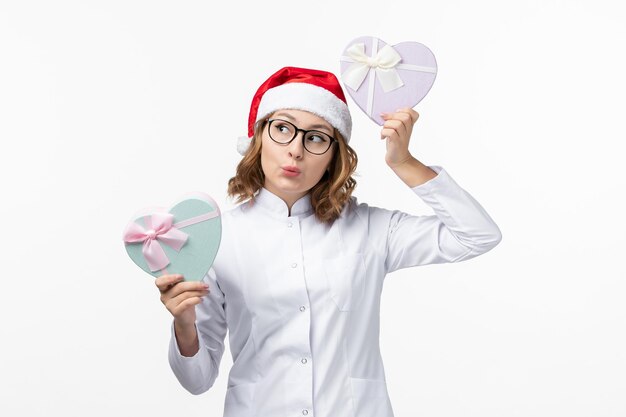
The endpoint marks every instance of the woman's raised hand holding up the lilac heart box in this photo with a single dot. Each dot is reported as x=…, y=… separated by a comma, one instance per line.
x=397, y=130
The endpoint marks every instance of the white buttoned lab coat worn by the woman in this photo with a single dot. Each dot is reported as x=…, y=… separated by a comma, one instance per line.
x=301, y=300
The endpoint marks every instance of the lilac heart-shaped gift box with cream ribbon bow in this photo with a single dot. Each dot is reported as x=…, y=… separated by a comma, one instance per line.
x=382, y=78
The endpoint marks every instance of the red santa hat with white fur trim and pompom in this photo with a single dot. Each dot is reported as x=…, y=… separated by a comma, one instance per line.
x=315, y=91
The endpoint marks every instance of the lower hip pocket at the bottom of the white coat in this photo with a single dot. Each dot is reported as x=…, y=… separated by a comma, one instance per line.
x=371, y=398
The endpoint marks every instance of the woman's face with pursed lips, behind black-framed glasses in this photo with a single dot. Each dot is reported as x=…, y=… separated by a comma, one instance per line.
x=290, y=170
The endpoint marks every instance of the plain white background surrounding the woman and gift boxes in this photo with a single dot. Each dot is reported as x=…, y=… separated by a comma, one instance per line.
x=107, y=107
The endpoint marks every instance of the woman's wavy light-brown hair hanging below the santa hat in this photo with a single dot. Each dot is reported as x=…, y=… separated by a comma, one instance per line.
x=328, y=196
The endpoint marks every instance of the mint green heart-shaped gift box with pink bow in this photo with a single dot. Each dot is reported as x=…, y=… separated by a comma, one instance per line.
x=182, y=240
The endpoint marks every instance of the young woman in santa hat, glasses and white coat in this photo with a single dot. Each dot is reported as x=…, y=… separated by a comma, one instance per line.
x=299, y=274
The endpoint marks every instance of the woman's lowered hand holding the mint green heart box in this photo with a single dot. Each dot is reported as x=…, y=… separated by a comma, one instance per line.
x=180, y=298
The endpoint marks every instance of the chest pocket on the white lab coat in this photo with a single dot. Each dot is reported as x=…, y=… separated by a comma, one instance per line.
x=345, y=276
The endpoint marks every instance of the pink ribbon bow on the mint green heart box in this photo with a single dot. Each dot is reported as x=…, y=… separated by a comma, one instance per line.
x=160, y=229
